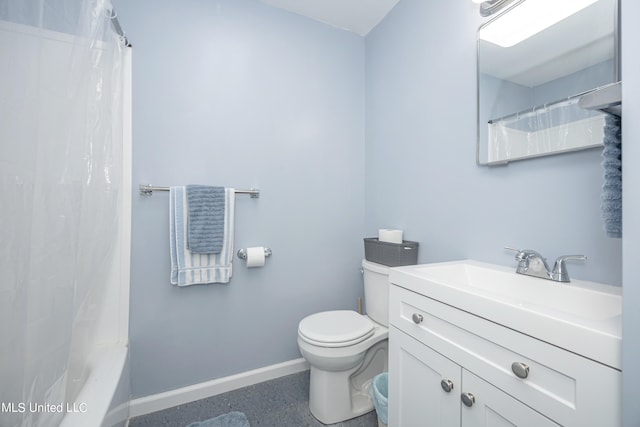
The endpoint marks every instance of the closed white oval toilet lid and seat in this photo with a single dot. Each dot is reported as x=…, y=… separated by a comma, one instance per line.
x=338, y=328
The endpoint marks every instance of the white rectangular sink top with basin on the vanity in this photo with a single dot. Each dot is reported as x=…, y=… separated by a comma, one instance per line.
x=583, y=317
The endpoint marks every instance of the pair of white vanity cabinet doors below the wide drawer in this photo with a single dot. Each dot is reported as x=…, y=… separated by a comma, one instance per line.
x=427, y=390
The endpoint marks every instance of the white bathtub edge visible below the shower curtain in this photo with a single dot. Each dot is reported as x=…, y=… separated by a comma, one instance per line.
x=103, y=399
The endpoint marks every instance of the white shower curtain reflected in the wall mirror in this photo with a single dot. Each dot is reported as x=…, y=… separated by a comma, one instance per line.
x=559, y=127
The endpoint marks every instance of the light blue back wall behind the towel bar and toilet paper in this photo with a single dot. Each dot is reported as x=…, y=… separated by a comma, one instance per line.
x=235, y=93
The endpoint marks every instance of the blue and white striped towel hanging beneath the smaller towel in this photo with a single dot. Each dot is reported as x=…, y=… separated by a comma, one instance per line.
x=188, y=268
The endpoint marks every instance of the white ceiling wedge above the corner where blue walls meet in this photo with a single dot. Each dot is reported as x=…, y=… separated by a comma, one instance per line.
x=358, y=16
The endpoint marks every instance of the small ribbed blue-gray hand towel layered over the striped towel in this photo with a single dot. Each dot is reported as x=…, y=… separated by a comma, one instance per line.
x=205, y=218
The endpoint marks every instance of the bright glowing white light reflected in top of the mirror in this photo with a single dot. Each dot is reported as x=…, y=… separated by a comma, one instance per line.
x=529, y=18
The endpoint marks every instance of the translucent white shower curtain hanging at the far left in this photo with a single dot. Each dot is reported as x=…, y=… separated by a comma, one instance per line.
x=60, y=187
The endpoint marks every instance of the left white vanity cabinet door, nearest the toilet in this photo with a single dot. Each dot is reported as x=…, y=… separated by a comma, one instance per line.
x=416, y=396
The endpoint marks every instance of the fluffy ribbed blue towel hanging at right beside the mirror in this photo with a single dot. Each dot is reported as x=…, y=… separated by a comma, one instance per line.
x=611, y=198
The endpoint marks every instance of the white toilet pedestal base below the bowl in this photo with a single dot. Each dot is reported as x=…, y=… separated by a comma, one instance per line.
x=340, y=396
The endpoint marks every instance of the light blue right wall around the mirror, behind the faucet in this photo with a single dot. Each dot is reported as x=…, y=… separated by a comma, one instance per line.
x=421, y=174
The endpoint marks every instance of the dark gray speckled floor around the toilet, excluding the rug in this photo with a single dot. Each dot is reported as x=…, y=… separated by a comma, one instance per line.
x=283, y=402
